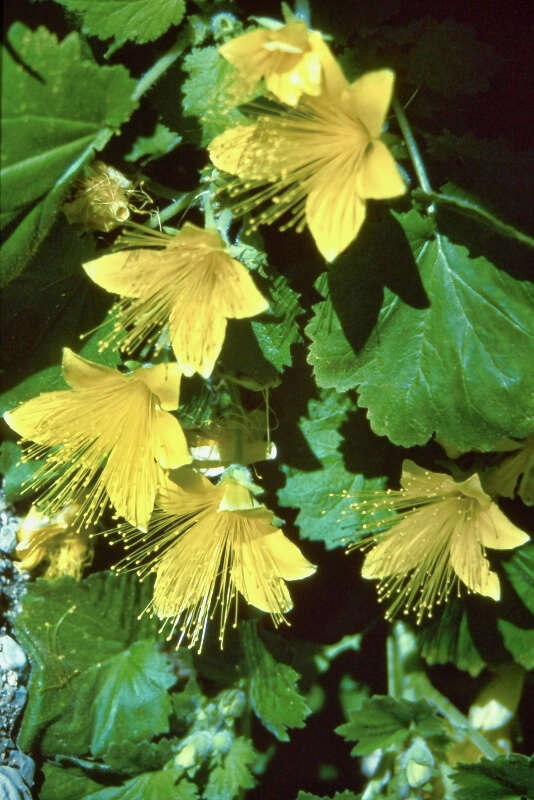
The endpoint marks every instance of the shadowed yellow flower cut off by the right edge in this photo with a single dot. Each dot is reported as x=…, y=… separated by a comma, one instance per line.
x=515, y=473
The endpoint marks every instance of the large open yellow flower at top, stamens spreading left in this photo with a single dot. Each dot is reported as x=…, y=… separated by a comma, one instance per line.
x=317, y=163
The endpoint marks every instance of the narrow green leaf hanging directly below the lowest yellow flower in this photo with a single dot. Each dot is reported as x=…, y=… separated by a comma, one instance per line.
x=273, y=686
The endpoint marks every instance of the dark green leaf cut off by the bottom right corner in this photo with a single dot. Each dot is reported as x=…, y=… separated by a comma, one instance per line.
x=505, y=778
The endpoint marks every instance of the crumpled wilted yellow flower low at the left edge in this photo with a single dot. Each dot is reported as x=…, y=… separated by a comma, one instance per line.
x=54, y=542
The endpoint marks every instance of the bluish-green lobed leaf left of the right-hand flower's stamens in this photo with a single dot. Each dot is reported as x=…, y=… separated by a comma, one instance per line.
x=324, y=495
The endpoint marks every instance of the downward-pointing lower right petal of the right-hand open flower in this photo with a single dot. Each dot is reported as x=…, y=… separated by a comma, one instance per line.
x=470, y=564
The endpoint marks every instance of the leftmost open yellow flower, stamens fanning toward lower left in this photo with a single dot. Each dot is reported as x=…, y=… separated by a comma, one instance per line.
x=107, y=439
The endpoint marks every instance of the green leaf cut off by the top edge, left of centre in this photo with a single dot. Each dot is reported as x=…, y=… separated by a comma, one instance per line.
x=137, y=20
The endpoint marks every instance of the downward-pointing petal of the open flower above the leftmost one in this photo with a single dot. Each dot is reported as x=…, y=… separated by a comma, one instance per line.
x=197, y=336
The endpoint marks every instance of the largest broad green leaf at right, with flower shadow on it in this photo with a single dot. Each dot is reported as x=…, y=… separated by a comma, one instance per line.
x=457, y=365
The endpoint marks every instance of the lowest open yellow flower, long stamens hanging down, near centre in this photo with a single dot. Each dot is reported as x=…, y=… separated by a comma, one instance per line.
x=206, y=544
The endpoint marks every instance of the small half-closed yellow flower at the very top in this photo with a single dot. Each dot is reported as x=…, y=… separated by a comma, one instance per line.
x=288, y=59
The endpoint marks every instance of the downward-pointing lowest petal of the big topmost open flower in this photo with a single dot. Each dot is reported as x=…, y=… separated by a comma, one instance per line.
x=334, y=212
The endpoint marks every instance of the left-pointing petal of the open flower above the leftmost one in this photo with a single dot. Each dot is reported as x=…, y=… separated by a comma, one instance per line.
x=122, y=273
